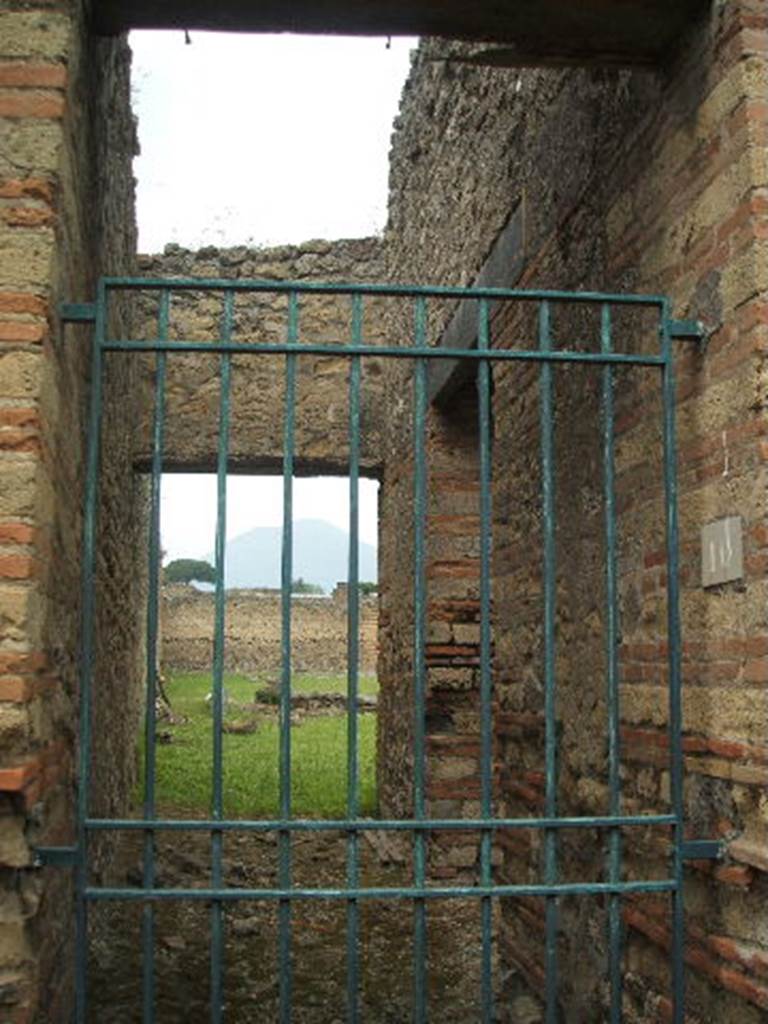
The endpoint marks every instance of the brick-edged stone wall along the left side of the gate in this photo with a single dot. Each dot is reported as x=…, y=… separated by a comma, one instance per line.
x=66, y=214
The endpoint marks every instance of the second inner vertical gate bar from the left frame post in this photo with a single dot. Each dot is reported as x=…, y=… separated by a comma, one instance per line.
x=218, y=808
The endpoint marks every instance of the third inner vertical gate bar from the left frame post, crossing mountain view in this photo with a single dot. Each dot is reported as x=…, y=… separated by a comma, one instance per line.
x=284, y=852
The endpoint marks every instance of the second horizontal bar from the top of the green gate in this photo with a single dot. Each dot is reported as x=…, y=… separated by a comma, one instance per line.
x=398, y=352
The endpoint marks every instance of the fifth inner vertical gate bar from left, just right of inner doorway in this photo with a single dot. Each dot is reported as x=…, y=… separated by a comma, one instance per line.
x=420, y=513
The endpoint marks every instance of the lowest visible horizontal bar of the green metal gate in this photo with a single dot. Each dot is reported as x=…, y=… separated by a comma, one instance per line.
x=396, y=892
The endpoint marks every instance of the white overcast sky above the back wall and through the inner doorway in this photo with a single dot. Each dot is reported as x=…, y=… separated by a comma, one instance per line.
x=262, y=141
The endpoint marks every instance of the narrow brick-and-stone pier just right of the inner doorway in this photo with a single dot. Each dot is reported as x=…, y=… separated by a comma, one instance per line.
x=452, y=649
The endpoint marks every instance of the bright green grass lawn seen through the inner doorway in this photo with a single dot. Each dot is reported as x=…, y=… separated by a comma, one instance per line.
x=251, y=771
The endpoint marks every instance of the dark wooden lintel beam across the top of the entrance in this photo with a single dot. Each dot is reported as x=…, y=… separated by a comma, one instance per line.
x=541, y=31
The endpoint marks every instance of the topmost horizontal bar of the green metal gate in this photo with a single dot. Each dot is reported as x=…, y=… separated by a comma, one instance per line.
x=439, y=291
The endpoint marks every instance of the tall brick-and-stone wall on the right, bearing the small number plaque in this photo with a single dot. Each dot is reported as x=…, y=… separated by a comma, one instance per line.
x=629, y=183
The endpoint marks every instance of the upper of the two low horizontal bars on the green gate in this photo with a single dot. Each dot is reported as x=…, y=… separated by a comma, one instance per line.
x=371, y=825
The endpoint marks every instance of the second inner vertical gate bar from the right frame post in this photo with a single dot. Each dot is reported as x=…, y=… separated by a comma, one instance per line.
x=550, y=682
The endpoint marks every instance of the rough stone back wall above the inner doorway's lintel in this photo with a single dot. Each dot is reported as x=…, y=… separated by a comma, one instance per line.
x=259, y=382
